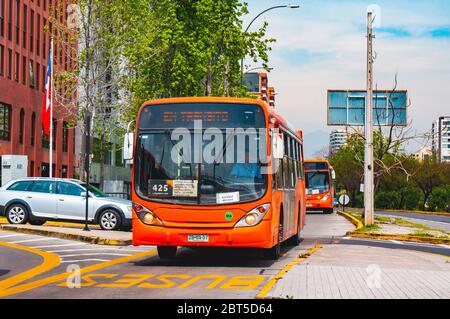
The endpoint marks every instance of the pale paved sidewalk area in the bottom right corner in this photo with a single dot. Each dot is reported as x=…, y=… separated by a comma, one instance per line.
x=355, y=272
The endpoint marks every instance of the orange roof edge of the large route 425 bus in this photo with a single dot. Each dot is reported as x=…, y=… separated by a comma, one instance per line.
x=231, y=100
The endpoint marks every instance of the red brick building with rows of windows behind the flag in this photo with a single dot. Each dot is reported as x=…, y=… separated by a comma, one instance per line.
x=24, y=49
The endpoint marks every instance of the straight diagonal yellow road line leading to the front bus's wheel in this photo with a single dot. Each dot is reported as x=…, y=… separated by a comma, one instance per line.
x=63, y=276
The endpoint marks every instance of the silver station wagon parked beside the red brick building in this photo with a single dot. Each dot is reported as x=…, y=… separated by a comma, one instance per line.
x=36, y=200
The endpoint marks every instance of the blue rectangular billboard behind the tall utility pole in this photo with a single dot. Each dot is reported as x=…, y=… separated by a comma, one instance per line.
x=347, y=107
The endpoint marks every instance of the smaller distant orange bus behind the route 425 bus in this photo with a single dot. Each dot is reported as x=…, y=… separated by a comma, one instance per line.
x=319, y=185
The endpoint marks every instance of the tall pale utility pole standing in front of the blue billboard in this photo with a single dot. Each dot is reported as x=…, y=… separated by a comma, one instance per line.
x=368, y=152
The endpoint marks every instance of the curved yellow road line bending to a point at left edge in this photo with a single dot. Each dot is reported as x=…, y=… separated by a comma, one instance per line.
x=49, y=262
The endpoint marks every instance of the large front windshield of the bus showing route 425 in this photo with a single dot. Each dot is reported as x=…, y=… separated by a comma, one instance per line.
x=172, y=171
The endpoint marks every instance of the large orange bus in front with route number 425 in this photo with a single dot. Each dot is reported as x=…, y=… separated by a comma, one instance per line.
x=249, y=192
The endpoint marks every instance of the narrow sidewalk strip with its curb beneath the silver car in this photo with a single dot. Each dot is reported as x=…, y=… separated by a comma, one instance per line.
x=75, y=232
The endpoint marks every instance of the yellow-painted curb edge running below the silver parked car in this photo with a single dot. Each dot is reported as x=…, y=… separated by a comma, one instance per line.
x=83, y=238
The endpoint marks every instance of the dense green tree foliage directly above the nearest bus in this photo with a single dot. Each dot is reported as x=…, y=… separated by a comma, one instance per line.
x=181, y=48
